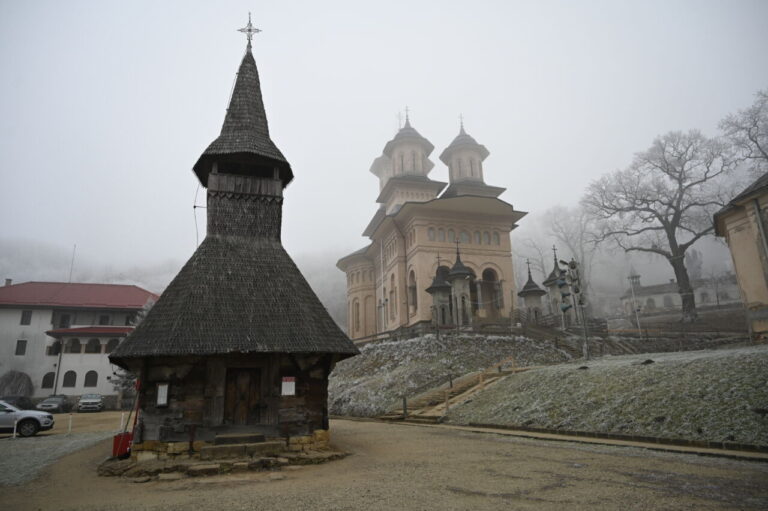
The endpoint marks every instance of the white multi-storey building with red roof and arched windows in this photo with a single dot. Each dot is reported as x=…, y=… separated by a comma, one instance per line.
x=61, y=333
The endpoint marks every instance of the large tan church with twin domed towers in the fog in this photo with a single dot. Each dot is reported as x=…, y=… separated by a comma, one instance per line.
x=416, y=234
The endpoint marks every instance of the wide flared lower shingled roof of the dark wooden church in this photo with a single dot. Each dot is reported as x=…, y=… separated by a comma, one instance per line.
x=236, y=295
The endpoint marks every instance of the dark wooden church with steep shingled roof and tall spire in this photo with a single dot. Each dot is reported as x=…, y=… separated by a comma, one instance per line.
x=238, y=342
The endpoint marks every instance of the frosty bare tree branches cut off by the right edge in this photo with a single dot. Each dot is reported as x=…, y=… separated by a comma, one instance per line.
x=748, y=131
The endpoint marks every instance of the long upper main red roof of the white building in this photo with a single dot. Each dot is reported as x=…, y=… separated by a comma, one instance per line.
x=75, y=295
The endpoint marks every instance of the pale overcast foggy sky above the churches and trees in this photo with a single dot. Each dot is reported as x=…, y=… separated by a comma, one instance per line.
x=105, y=106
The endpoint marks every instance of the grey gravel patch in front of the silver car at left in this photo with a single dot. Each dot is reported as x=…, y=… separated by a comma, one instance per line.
x=22, y=458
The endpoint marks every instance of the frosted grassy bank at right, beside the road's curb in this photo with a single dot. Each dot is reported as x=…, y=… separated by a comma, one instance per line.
x=715, y=395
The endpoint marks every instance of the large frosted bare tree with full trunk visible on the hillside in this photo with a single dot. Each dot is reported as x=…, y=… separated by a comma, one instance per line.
x=664, y=201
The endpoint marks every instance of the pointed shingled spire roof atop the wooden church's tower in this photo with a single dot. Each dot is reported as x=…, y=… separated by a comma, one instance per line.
x=244, y=136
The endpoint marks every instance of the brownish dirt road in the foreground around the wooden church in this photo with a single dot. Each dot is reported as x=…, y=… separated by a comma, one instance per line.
x=409, y=467
